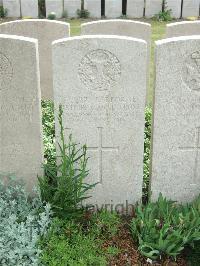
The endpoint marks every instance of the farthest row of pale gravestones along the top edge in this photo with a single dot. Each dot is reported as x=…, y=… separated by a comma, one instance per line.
x=113, y=8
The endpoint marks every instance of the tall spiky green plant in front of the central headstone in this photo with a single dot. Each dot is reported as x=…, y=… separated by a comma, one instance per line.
x=63, y=184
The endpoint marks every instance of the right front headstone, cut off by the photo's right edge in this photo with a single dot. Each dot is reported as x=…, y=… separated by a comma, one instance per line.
x=176, y=133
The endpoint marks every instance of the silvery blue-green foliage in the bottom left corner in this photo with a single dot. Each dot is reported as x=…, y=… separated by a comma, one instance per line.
x=22, y=222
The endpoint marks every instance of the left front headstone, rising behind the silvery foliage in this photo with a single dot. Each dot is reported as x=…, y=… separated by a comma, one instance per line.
x=20, y=117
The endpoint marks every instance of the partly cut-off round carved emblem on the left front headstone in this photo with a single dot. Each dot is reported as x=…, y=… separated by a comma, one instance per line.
x=6, y=71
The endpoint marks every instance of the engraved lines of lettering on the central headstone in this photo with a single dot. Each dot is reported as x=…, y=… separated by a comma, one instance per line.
x=101, y=108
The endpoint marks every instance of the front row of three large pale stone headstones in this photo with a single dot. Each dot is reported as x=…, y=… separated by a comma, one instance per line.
x=101, y=83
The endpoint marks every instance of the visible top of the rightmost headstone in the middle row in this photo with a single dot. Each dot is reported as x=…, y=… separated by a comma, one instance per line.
x=184, y=28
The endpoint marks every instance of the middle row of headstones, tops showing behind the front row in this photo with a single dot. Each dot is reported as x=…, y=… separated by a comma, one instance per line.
x=46, y=31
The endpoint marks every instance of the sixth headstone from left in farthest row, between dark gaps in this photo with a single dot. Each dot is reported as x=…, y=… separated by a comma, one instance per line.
x=113, y=8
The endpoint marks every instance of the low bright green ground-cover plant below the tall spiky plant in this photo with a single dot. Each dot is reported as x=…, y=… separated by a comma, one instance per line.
x=68, y=244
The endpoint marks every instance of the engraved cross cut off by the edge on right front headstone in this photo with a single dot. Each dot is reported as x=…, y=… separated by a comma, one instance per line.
x=195, y=148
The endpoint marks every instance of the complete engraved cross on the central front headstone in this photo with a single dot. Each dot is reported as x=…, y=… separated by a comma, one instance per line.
x=100, y=148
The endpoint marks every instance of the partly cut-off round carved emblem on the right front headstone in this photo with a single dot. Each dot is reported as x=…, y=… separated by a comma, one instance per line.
x=191, y=71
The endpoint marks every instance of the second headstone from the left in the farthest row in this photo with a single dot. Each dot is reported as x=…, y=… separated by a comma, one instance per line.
x=29, y=8
